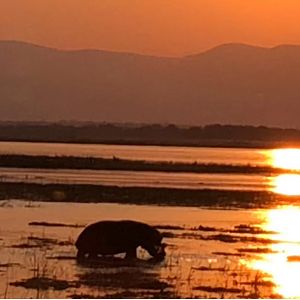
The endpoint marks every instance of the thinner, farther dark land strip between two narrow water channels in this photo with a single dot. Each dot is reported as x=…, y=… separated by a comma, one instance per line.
x=117, y=164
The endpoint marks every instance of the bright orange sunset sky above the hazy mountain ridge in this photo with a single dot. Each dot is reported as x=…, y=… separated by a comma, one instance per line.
x=159, y=27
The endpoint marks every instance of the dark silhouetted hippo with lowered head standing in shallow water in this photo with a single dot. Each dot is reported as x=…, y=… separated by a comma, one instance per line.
x=114, y=237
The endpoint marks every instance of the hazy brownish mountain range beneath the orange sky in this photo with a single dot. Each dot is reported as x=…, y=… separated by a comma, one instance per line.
x=233, y=83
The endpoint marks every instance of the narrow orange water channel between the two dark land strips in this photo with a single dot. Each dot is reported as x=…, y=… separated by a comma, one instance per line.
x=141, y=179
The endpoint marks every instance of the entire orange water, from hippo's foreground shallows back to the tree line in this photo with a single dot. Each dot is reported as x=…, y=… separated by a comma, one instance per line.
x=243, y=254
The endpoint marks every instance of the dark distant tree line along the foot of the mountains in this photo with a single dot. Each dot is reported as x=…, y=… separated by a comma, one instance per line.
x=215, y=134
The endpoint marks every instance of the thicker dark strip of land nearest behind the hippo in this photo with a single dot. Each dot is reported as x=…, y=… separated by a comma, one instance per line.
x=142, y=195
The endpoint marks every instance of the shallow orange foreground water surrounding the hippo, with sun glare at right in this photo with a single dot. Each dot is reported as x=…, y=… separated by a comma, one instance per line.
x=193, y=257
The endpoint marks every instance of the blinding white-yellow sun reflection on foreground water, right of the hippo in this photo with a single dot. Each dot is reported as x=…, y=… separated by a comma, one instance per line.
x=285, y=274
